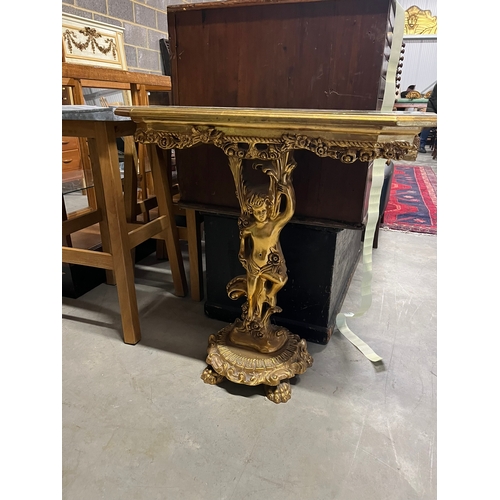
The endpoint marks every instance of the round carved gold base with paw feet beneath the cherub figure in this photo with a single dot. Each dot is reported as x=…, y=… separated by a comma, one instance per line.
x=244, y=366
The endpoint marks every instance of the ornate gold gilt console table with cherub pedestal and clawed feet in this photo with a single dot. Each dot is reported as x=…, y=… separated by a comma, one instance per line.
x=252, y=350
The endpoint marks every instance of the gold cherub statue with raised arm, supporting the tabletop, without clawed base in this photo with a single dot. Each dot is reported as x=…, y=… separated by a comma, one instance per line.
x=264, y=214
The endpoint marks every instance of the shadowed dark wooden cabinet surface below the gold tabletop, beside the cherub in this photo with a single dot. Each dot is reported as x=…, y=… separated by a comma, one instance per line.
x=323, y=195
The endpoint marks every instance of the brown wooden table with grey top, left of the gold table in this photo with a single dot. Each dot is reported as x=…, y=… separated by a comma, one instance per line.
x=101, y=127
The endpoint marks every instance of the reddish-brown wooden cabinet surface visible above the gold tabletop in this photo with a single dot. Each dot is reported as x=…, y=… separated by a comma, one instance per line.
x=323, y=55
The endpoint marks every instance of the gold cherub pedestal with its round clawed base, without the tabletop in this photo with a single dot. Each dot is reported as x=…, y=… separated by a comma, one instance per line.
x=252, y=350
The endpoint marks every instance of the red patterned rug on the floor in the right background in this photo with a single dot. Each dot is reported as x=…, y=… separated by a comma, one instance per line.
x=413, y=200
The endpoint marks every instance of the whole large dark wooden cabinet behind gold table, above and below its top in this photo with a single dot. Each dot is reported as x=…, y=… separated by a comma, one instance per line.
x=329, y=54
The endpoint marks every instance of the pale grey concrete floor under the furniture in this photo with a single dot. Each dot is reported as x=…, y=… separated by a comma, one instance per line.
x=139, y=423
